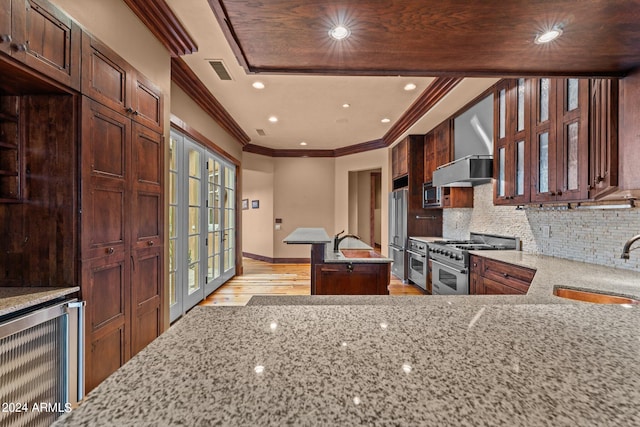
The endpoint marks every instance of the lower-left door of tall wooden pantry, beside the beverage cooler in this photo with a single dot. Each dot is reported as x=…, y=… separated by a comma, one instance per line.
x=105, y=287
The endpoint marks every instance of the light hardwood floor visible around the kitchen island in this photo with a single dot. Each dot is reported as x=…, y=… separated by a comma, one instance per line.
x=263, y=278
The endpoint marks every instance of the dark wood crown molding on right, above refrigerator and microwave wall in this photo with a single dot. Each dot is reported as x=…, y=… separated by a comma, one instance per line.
x=437, y=90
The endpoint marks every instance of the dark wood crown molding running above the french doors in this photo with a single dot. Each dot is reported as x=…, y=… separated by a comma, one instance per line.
x=184, y=77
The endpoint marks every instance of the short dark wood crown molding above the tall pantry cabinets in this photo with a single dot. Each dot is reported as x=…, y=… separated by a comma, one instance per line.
x=165, y=25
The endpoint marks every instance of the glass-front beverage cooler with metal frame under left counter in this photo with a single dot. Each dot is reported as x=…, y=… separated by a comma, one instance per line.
x=41, y=363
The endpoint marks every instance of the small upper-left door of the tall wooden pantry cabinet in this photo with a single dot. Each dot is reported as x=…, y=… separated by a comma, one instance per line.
x=105, y=75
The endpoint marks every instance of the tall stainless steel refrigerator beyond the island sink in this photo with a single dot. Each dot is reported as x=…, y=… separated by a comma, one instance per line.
x=398, y=238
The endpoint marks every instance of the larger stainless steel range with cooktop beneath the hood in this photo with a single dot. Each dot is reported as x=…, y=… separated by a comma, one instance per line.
x=450, y=260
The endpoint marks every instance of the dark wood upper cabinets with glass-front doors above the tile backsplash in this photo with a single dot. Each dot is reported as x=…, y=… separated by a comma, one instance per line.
x=556, y=140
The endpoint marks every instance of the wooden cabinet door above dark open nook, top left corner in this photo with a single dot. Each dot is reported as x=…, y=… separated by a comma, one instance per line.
x=52, y=44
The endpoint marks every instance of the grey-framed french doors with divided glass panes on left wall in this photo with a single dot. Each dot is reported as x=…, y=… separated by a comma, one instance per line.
x=202, y=194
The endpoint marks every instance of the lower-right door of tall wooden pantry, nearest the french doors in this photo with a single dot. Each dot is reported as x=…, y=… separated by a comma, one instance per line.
x=146, y=297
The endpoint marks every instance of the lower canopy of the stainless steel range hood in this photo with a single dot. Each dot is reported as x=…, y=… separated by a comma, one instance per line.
x=465, y=172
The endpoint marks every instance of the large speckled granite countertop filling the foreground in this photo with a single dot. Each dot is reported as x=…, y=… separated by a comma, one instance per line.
x=524, y=365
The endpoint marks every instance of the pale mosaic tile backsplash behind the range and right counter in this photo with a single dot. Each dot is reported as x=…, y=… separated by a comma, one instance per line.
x=594, y=236
